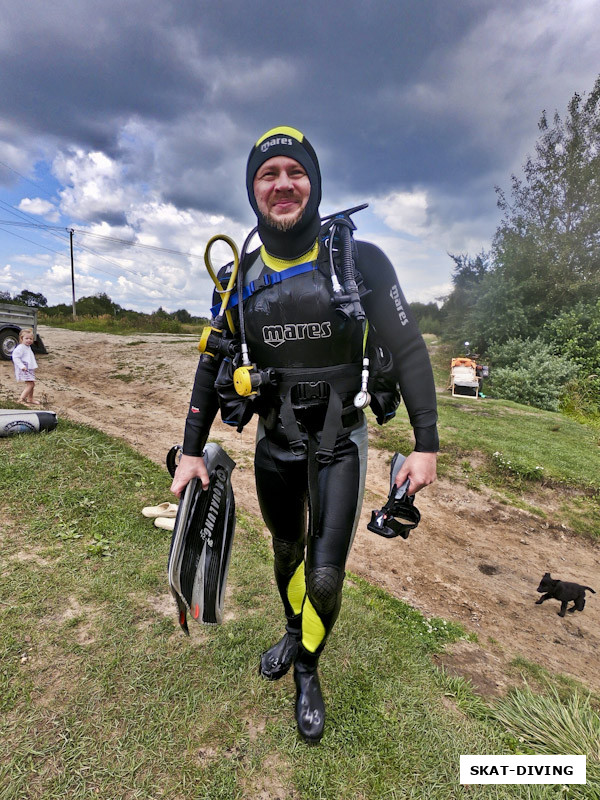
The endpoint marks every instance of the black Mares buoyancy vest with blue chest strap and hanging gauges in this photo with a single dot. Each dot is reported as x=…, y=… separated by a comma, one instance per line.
x=304, y=327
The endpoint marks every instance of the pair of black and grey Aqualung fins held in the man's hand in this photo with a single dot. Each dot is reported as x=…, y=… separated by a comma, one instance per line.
x=202, y=540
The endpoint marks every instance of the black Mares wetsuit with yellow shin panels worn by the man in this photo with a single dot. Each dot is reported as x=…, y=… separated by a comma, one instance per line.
x=292, y=325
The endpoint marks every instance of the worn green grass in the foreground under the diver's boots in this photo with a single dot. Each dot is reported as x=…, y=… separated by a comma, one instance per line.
x=101, y=695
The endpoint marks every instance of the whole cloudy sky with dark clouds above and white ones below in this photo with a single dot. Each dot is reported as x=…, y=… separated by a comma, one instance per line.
x=130, y=123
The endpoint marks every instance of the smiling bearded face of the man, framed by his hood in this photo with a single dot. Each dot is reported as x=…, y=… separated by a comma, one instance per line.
x=281, y=188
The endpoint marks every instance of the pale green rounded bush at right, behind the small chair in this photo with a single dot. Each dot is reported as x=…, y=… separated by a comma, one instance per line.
x=528, y=371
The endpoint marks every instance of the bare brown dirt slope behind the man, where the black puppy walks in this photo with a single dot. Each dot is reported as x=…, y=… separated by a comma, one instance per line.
x=471, y=560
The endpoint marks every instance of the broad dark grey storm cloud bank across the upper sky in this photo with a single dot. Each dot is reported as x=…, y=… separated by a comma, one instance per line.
x=434, y=94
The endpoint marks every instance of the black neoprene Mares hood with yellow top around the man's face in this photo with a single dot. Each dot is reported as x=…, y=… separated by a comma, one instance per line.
x=284, y=141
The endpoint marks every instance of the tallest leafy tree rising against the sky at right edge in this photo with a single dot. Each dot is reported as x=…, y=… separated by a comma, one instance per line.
x=549, y=240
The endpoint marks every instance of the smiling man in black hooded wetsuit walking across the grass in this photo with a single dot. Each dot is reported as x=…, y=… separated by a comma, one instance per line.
x=311, y=448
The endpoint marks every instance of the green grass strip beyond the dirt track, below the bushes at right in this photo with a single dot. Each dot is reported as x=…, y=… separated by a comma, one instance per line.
x=517, y=451
